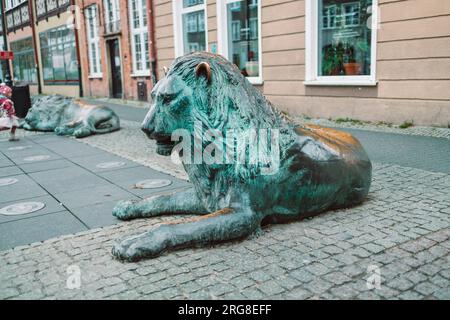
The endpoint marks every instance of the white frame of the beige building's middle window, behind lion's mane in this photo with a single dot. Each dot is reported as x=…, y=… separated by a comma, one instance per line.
x=222, y=35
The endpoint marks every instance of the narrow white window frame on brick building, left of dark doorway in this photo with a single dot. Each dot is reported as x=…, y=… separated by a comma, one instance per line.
x=95, y=40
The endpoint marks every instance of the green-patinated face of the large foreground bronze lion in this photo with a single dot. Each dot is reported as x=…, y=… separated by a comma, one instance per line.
x=171, y=110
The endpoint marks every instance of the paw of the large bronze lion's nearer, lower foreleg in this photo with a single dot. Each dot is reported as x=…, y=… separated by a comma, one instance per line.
x=144, y=245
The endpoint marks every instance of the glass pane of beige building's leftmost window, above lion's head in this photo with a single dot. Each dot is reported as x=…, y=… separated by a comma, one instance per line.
x=194, y=37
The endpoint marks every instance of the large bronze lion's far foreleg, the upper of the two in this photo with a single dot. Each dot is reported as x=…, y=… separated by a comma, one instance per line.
x=184, y=202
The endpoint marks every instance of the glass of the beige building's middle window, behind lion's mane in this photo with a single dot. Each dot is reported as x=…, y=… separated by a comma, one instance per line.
x=243, y=36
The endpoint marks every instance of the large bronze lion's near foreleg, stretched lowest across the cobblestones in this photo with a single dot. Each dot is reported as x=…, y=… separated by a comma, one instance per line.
x=222, y=225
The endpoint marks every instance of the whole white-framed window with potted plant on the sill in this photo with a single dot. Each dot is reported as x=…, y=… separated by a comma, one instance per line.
x=340, y=42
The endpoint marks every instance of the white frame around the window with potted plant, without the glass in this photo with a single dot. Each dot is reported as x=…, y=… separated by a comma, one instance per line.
x=311, y=52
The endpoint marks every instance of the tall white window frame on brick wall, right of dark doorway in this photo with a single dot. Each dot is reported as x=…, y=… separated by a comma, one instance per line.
x=144, y=72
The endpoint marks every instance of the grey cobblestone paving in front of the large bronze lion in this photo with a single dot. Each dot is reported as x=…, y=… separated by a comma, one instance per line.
x=403, y=229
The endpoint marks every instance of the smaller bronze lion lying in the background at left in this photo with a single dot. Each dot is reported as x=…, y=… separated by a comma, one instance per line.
x=68, y=116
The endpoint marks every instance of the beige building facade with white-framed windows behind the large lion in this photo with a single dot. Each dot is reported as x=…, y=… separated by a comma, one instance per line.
x=373, y=60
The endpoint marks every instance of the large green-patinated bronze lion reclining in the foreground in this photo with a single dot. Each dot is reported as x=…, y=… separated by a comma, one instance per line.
x=319, y=168
